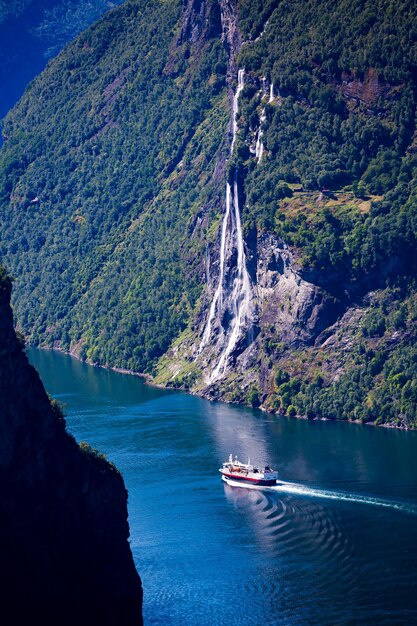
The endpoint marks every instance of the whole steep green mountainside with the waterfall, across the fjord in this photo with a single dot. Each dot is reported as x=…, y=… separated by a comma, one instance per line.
x=224, y=194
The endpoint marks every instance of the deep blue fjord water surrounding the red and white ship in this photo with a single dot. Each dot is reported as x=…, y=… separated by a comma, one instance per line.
x=339, y=546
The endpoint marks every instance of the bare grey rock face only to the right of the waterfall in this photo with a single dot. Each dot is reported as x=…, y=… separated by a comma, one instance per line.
x=291, y=313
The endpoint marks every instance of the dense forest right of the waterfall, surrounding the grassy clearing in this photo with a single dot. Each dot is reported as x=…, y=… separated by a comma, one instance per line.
x=345, y=74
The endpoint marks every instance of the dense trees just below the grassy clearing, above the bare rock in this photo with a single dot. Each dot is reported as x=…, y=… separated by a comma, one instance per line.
x=362, y=247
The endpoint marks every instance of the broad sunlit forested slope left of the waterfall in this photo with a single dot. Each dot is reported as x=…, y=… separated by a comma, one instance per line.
x=108, y=160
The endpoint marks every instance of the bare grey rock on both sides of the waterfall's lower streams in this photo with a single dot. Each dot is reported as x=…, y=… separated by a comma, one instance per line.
x=289, y=313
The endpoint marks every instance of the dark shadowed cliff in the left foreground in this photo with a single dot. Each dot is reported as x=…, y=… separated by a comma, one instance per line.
x=63, y=510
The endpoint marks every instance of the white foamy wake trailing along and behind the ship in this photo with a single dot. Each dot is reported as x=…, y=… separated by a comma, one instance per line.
x=302, y=490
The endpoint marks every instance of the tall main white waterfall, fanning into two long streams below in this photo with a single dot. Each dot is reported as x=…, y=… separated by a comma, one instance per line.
x=240, y=298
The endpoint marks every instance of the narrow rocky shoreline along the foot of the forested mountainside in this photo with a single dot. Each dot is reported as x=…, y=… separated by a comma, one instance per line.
x=148, y=380
